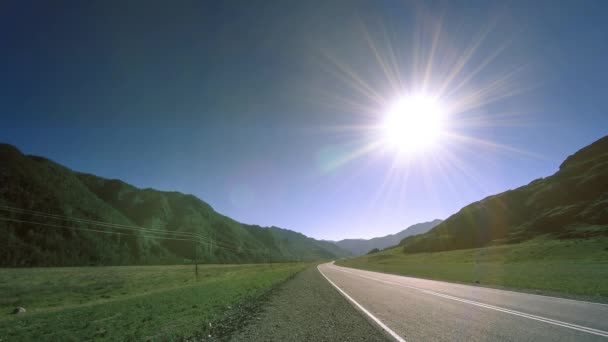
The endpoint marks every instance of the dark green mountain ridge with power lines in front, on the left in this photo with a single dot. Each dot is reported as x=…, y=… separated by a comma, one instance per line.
x=51, y=215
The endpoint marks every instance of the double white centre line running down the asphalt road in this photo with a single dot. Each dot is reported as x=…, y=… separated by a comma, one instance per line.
x=488, y=306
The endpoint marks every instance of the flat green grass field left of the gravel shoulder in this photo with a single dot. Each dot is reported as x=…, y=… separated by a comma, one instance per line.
x=127, y=303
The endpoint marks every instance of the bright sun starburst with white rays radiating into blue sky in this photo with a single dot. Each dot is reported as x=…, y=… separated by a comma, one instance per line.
x=423, y=101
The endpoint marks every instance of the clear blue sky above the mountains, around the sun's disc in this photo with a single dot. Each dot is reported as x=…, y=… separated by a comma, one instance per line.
x=268, y=110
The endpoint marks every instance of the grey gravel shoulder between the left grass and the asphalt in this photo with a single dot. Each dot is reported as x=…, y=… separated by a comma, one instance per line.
x=308, y=308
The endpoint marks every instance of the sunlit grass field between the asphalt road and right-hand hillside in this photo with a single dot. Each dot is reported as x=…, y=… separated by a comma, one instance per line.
x=568, y=268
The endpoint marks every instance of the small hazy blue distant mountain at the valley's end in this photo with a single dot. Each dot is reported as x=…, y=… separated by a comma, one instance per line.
x=362, y=246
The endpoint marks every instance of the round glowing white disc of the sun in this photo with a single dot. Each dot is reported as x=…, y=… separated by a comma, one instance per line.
x=413, y=124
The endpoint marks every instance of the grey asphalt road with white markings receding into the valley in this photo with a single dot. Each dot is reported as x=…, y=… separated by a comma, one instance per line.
x=416, y=309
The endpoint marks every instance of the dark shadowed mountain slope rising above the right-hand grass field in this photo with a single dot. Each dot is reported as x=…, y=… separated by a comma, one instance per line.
x=572, y=203
